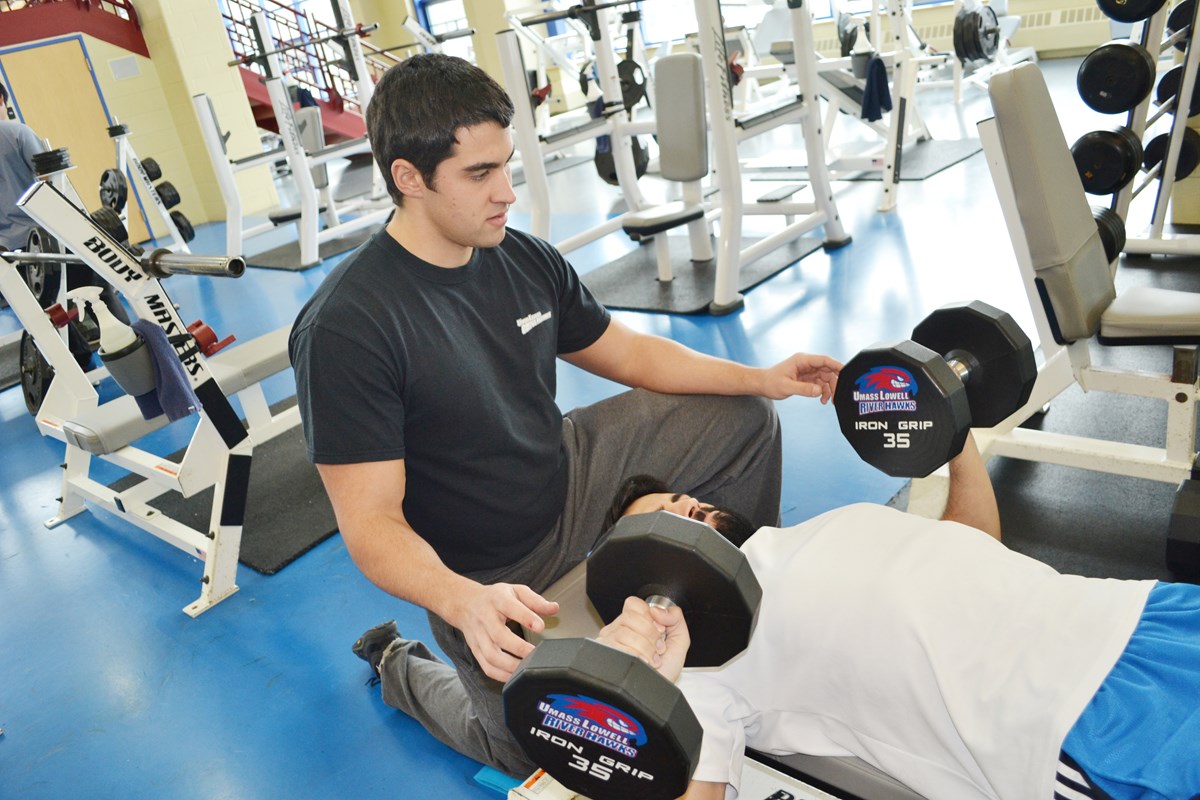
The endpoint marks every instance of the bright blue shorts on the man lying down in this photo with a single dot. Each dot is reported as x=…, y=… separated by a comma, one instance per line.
x=1139, y=737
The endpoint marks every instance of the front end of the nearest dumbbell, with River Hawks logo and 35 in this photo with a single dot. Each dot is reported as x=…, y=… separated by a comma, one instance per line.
x=602, y=723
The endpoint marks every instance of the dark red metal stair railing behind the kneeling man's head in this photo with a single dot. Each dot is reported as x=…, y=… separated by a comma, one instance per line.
x=320, y=67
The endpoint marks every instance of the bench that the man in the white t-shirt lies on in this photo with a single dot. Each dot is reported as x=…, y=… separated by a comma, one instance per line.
x=851, y=777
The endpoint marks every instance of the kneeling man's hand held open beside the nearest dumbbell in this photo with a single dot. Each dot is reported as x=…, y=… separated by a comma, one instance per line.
x=484, y=622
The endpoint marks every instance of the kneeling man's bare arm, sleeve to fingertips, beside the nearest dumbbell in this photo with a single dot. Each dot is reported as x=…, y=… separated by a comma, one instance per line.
x=368, y=501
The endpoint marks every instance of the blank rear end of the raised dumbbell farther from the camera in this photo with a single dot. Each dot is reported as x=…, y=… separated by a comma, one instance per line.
x=998, y=351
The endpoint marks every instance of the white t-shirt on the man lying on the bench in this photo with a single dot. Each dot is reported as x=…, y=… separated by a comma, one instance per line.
x=925, y=648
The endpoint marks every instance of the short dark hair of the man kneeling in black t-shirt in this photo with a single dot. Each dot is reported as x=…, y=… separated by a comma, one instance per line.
x=421, y=104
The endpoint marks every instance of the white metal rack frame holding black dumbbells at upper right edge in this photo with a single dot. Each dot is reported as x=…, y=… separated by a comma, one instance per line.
x=1154, y=240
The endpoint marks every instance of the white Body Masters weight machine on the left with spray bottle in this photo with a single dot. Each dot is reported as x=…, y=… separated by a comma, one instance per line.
x=219, y=455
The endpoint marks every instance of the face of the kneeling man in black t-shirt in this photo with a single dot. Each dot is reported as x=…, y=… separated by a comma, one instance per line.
x=467, y=204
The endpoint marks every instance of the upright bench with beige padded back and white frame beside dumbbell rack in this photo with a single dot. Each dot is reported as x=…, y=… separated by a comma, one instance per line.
x=1078, y=310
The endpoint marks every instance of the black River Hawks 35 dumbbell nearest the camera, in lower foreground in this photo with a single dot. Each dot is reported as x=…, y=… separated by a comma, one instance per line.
x=602, y=721
